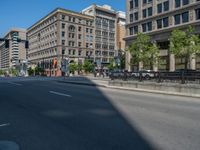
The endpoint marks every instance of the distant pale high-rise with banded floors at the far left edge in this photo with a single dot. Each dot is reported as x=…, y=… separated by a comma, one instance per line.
x=16, y=52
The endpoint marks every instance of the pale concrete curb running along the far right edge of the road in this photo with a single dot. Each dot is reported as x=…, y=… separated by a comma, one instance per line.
x=131, y=89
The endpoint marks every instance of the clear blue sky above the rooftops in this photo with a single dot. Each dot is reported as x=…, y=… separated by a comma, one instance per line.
x=24, y=13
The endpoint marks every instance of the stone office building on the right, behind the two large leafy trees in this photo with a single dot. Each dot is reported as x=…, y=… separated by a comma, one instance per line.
x=157, y=18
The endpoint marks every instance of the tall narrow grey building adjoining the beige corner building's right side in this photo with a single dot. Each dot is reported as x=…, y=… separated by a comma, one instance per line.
x=105, y=19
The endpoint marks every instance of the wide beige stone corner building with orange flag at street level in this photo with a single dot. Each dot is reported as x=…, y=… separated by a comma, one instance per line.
x=62, y=34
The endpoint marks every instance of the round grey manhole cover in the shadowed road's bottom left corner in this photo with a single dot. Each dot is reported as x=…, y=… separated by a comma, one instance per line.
x=8, y=145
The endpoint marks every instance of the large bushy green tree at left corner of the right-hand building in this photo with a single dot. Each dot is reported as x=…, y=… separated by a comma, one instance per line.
x=143, y=50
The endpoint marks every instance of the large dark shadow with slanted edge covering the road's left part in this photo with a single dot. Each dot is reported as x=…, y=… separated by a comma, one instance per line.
x=86, y=121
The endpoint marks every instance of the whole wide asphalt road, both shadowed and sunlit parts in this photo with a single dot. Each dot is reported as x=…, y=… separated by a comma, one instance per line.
x=50, y=115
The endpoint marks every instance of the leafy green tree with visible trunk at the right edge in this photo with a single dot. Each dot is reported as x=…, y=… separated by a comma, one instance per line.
x=184, y=44
